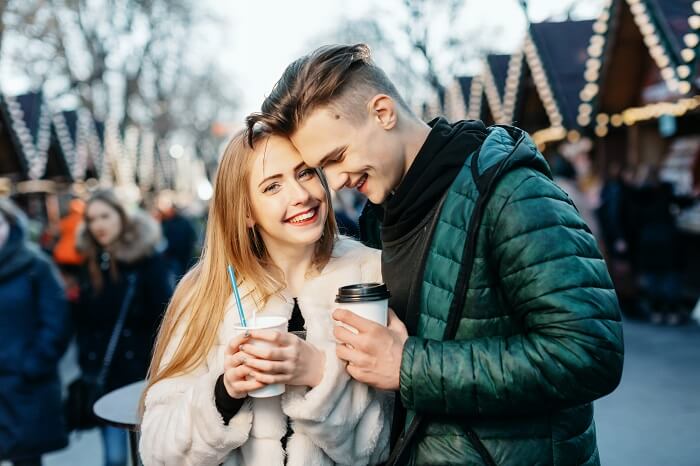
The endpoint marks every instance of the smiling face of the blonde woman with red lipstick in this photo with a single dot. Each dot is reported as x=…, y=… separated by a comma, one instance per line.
x=288, y=201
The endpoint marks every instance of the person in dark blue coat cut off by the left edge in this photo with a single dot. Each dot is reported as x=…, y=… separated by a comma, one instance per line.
x=34, y=331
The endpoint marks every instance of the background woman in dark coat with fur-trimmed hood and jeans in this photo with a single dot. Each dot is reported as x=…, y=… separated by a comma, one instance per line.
x=123, y=268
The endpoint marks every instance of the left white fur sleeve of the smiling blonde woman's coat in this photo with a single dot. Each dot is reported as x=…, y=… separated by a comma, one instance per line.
x=181, y=424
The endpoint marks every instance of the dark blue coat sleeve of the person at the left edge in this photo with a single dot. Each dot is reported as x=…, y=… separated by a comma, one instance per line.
x=53, y=327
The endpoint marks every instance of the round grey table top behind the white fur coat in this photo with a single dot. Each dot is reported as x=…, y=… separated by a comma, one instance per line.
x=120, y=407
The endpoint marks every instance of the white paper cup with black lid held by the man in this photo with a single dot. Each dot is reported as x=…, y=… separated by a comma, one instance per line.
x=368, y=300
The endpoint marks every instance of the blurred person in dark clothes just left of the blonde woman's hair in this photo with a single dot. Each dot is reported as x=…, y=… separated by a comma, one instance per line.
x=178, y=232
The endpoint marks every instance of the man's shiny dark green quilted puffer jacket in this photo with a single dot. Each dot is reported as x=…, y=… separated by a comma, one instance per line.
x=540, y=335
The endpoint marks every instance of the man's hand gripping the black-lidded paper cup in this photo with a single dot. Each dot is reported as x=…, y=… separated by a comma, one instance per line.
x=374, y=354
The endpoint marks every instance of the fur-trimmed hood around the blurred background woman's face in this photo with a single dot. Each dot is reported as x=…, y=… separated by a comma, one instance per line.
x=141, y=239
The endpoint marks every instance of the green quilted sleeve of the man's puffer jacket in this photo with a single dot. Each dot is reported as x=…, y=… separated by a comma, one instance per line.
x=555, y=283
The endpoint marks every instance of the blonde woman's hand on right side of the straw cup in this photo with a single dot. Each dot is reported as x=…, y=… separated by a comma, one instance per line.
x=290, y=360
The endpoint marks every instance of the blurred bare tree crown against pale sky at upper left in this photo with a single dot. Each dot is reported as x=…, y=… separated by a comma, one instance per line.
x=133, y=60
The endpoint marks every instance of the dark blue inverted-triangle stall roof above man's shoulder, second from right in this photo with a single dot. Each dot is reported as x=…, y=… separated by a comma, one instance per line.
x=562, y=49
